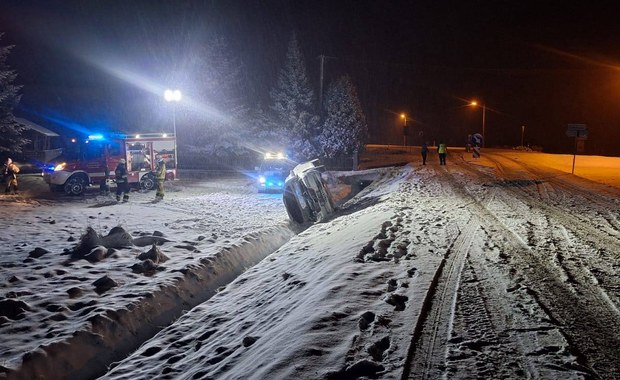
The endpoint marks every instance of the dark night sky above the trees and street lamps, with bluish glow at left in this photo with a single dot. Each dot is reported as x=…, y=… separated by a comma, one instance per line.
x=542, y=64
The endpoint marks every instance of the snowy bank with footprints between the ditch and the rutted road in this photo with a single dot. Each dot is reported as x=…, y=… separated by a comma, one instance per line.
x=312, y=309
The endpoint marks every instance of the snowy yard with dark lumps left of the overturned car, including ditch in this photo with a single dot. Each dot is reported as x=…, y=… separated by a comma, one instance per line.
x=63, y=316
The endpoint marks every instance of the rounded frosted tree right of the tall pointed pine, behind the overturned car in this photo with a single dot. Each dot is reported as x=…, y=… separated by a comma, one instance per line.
x=344, y=129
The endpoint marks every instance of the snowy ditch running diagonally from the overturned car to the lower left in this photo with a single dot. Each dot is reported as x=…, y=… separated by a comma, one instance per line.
x=113, y=334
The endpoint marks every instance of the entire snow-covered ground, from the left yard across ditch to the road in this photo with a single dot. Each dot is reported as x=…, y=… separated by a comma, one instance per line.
x=499, y=267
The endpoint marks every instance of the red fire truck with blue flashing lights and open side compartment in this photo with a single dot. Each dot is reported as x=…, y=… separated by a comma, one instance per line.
x=92, y=161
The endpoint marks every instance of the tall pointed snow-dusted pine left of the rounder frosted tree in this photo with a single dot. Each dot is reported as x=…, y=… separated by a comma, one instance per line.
x=294, y=105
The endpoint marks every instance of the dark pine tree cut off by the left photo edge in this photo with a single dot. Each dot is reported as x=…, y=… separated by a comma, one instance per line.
x=10, y=131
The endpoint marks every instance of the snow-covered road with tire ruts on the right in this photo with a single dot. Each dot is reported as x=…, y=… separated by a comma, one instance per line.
x=538, y=295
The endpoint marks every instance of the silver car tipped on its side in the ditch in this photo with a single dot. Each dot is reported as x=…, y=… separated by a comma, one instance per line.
x=306, y=196
